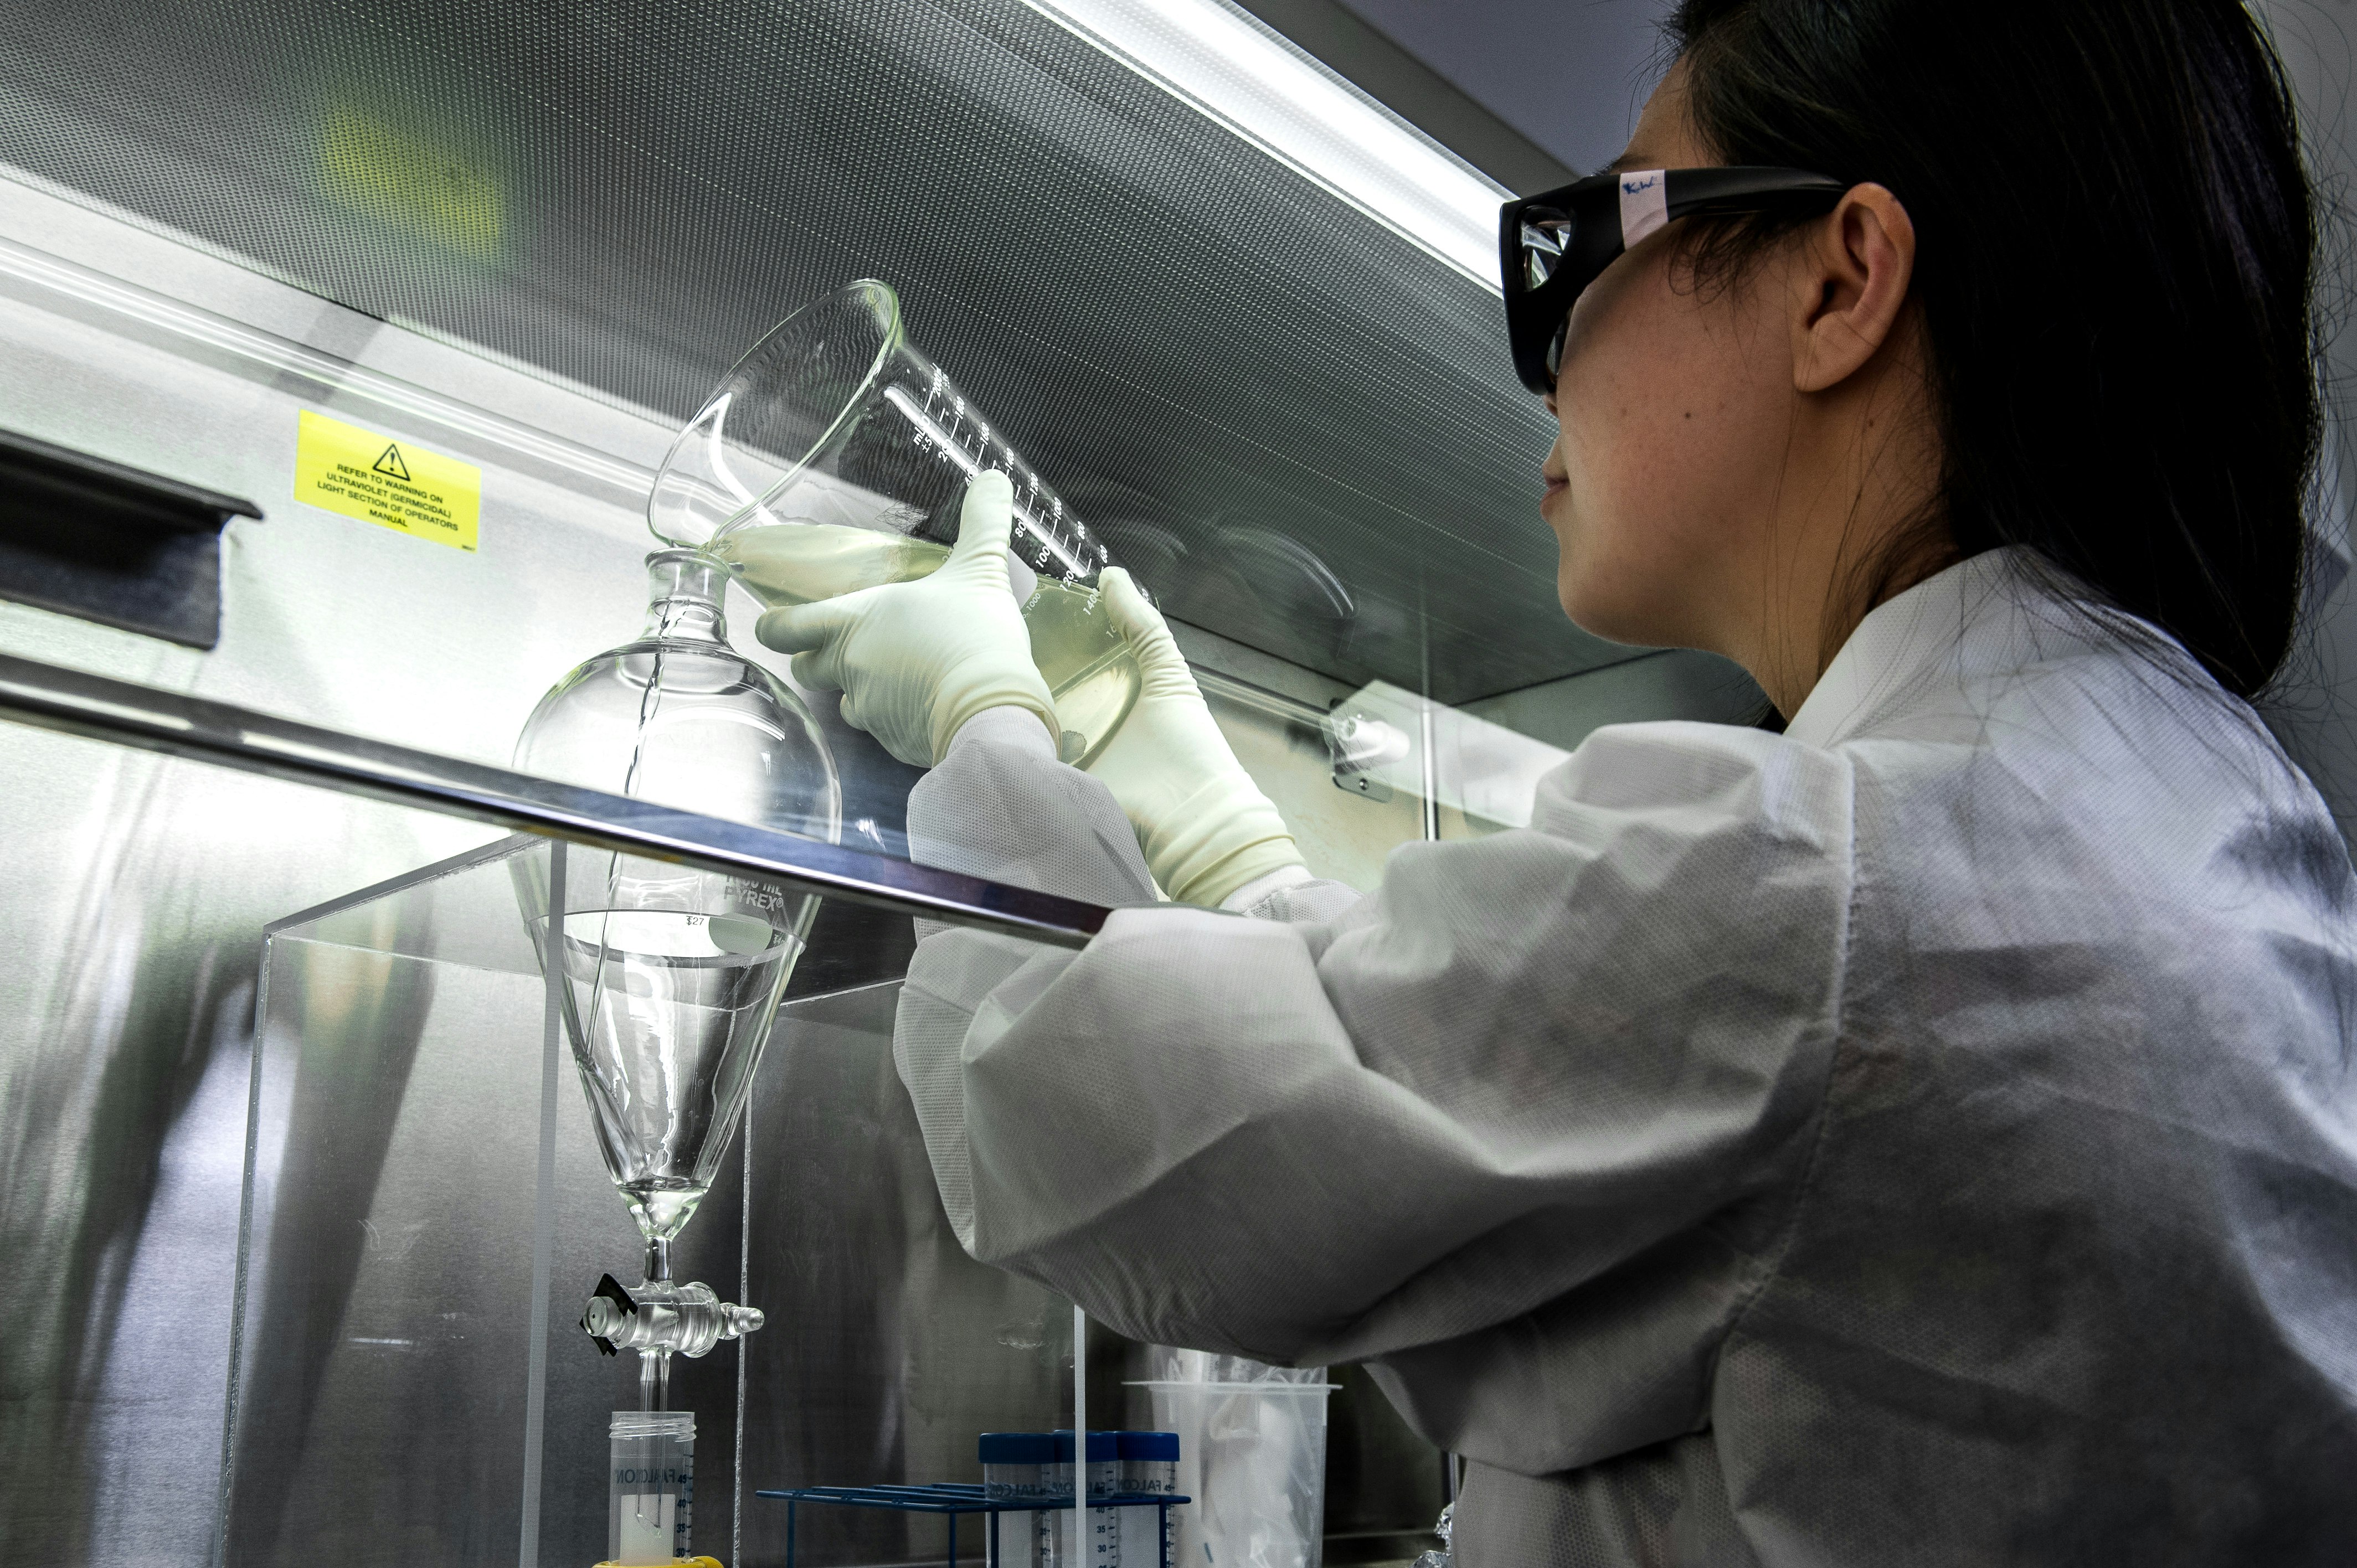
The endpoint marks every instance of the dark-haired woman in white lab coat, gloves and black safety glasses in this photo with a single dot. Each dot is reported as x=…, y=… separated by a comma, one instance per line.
x=1922, y=1135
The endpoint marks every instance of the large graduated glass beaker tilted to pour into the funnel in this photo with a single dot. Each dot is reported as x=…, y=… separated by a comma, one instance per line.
x=836, y=456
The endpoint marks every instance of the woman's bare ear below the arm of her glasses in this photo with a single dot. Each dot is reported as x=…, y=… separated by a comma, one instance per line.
x=1849, y=286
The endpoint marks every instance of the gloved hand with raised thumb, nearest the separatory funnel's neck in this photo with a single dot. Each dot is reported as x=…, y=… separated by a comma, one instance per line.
x=920, y=659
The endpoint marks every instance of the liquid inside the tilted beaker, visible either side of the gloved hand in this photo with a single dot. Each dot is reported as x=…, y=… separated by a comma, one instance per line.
x=1083, y=657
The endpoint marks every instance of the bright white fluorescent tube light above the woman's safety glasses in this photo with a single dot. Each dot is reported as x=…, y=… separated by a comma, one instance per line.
x=1260, y=86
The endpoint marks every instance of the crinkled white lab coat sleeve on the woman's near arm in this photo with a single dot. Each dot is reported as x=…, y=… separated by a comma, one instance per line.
x=1524, y=1069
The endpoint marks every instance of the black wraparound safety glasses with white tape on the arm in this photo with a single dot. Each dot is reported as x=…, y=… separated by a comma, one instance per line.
x=1559, y=242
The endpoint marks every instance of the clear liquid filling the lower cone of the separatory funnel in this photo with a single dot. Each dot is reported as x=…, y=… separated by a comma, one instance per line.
x=668, y=1013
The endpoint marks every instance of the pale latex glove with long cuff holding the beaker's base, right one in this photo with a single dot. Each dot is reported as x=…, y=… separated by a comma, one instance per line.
x=1203, y=824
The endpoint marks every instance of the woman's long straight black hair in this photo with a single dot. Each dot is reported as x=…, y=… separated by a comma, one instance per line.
x=2115, y=275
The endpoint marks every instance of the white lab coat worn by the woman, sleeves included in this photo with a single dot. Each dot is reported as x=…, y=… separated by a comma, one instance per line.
x=1920, y=1138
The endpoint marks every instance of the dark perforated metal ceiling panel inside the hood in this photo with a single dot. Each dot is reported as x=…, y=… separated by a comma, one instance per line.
x=1232, y=369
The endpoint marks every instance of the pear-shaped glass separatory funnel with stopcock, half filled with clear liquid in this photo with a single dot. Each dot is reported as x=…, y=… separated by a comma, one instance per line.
x=673, y=975
